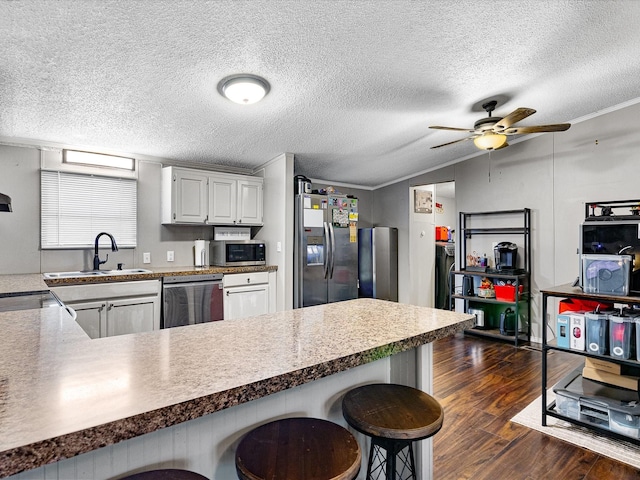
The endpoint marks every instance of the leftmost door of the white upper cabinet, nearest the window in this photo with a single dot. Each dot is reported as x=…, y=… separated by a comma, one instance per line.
x=190, y=194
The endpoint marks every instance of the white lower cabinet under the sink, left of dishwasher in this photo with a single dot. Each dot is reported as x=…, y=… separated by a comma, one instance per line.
x=109, y=309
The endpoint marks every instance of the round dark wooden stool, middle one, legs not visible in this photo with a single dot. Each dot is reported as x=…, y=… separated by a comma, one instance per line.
x=298, y=449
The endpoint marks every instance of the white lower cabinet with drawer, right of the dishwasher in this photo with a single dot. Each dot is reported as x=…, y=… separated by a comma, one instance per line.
x=248, y=295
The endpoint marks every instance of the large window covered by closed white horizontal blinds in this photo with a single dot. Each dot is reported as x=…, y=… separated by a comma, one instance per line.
x=75, y=208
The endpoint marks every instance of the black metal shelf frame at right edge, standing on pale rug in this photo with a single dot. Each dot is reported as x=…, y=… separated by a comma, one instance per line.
x=549, y=408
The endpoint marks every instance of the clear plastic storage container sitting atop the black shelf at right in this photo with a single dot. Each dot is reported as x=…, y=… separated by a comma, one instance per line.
x=606, y=274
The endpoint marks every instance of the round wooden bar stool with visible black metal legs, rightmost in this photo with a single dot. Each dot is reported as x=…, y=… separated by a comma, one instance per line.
x=394, y=416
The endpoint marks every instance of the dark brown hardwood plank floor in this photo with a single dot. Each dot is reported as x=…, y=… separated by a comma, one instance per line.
x=482, y=384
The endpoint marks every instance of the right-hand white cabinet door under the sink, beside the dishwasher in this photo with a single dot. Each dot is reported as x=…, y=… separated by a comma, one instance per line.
x=132, y=315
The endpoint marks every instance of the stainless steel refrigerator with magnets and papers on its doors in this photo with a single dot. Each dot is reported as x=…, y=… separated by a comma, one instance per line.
x=325, y=249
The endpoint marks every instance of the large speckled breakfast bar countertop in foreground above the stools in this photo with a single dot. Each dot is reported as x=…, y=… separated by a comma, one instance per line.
x=62, y=394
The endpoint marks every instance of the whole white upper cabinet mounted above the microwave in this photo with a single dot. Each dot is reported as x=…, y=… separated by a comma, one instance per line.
x=196, y=197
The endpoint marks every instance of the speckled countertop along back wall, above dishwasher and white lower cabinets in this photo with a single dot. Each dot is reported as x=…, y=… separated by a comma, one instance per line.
x=156, y=273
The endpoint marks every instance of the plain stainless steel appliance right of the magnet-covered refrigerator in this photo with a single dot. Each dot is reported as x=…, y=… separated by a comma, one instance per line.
x=378, y=263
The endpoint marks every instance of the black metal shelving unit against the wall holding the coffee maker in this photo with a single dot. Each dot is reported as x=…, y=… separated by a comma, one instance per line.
x=520, y=277
